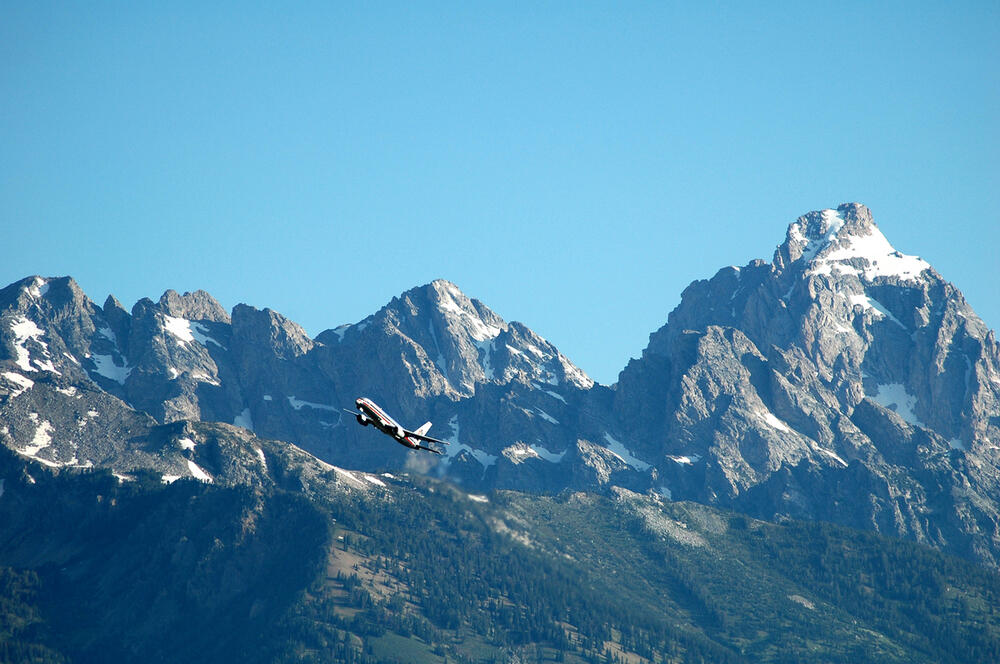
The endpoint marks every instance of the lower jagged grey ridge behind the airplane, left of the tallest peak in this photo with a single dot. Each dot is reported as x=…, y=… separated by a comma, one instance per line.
x=432, y=352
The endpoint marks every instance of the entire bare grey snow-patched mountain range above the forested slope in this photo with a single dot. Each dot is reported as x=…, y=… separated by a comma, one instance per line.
x=843, y=381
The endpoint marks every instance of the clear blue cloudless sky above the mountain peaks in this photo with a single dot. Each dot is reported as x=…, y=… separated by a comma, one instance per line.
x=574, y=166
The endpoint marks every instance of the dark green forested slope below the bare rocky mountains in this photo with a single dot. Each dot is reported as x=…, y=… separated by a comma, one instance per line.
x=419, y=571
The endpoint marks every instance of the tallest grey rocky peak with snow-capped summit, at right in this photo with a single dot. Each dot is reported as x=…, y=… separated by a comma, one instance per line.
x=845, y=381
